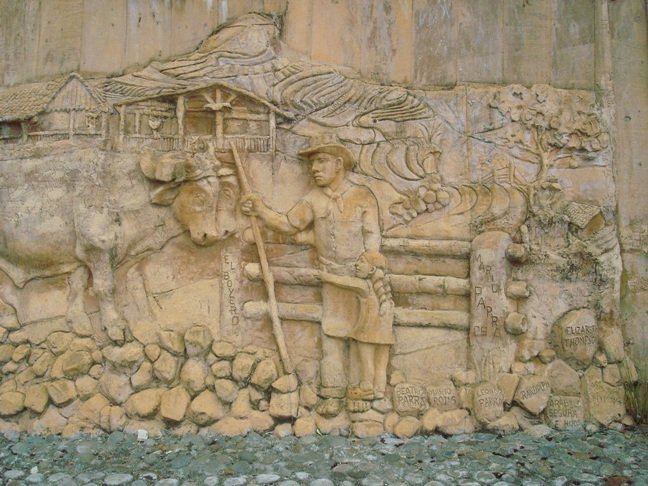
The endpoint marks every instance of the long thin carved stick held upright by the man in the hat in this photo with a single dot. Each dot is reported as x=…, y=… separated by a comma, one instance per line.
x=268, y=278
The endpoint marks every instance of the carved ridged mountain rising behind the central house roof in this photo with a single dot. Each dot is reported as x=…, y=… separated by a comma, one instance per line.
x=247, y=55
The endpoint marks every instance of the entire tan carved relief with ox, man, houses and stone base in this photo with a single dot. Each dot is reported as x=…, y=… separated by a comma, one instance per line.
x=441, y=260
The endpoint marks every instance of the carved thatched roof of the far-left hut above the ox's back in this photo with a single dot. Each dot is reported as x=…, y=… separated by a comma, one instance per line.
x=27, y=100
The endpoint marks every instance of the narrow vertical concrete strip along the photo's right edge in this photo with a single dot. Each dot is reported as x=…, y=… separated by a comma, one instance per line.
x=628, y=32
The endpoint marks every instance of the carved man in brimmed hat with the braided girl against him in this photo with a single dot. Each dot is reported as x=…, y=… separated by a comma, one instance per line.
x=356, y=297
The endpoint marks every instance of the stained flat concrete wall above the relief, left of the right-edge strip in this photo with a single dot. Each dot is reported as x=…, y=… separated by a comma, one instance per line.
x=425, y=42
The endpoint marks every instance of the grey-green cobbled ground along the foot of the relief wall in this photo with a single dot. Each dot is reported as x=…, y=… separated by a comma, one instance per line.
x=559, y=458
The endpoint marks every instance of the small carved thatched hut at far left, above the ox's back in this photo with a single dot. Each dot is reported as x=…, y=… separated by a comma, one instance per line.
x=52, y=110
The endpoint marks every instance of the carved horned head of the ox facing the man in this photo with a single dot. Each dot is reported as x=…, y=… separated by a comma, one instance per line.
x=201, y=192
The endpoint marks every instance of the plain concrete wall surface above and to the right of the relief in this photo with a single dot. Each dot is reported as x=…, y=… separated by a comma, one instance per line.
x=592, y=44
